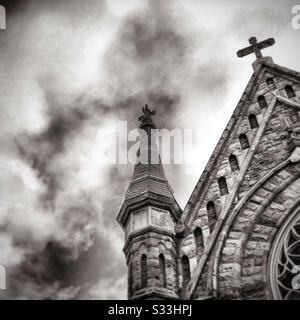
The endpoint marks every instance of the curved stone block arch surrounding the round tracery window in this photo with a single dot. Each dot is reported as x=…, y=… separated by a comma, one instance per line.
x=242, y=272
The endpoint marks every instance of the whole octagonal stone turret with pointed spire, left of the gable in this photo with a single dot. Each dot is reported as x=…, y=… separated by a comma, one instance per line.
x=148, y=217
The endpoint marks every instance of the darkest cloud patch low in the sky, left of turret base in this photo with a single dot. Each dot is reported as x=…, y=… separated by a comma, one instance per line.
x=61, y=265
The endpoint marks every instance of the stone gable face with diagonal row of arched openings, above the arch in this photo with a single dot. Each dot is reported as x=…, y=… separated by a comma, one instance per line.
x=264, y=141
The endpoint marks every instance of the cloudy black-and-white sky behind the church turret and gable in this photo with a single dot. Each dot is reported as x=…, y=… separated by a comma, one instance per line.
x=70, y=68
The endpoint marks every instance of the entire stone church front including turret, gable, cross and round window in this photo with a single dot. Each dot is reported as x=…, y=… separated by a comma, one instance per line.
x=238, y=236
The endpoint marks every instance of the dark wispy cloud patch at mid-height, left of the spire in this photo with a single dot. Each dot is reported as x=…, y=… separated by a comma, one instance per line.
x=40, y=149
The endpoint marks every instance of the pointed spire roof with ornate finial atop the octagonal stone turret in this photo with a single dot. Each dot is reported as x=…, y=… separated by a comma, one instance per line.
x=149, y=182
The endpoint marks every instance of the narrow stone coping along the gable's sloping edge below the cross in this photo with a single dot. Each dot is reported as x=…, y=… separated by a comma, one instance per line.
x=258, y=73
